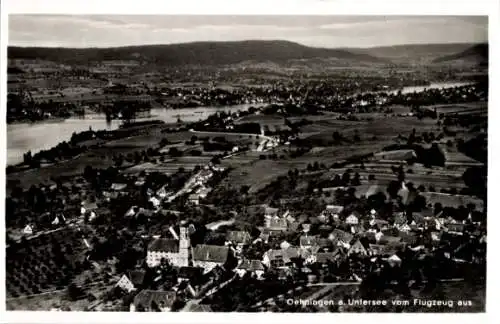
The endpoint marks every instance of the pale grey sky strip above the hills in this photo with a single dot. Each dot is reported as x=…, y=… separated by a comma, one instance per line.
x=318, y=31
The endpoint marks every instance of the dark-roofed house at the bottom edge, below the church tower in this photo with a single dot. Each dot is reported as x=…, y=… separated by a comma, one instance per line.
x=153, y=300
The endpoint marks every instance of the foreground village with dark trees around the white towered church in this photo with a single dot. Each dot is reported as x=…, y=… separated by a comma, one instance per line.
x=182, y=252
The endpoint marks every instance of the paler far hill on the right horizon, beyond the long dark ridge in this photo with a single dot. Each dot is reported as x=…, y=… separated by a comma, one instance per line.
x=414, y=54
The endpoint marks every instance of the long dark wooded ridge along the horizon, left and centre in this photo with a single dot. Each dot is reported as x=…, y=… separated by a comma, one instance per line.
x=198, y=53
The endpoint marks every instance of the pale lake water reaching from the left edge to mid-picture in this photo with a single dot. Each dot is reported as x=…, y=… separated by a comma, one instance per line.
x=24, y=137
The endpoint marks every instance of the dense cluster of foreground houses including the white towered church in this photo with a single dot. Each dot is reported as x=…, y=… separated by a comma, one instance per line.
x=364, y=236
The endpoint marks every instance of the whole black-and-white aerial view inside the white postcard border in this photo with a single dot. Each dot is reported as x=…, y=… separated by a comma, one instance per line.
x=257, y=163
